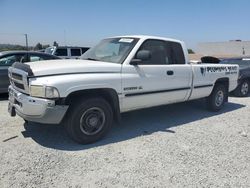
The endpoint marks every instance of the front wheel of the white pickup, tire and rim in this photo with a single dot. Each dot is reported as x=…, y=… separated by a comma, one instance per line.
x=89, y=120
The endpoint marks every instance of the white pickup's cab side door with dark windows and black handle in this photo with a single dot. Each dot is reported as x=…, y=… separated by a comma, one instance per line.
x=163, y=79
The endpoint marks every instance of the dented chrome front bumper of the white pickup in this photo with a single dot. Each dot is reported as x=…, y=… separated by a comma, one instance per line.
x=35, y=109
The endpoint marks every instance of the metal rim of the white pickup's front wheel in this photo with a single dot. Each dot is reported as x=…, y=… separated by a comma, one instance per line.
x=92, y=121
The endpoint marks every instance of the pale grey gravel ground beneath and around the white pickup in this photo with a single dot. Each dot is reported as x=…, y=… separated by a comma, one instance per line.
x=180, y=145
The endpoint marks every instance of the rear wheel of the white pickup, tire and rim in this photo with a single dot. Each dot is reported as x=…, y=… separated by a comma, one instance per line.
x=217, y=98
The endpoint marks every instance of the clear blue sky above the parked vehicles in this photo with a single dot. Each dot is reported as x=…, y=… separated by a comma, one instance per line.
x=85, y=22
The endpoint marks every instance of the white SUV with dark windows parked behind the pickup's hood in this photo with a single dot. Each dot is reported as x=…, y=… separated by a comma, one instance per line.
x=66, y=52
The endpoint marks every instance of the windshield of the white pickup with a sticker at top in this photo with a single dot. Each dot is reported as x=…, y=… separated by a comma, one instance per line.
x=113, y=50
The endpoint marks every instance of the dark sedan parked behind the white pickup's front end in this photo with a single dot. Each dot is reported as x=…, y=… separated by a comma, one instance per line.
x=7, y=58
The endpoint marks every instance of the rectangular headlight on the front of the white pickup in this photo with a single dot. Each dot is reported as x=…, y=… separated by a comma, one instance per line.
x=44, y=91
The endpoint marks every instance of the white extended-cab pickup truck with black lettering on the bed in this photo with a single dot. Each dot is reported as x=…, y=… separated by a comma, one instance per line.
x=120, y=74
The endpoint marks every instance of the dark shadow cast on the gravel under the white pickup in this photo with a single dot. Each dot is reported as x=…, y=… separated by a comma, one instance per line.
x=133, y=124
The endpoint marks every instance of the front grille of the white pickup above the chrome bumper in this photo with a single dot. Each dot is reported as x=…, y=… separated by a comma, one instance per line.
x=19, y=80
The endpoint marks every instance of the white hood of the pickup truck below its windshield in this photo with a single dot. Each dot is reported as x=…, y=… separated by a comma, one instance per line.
x=56, y=67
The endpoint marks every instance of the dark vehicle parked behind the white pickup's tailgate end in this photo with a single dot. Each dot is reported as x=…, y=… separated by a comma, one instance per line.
x=243, y=87
